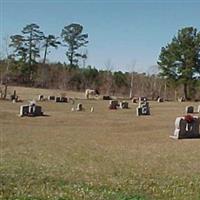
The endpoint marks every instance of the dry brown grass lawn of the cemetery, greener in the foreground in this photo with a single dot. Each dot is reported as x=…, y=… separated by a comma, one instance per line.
x=104, y=155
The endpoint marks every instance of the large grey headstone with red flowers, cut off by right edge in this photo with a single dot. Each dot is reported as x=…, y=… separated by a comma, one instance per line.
x=186, y=127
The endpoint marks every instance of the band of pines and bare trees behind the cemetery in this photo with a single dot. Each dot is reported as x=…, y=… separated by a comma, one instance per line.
x=178, y=62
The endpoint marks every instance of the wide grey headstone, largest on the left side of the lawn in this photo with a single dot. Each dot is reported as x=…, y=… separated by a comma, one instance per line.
x=30, y=110
